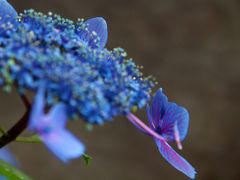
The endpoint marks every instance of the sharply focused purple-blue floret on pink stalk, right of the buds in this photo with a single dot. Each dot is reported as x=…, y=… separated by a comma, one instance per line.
x=170, y=123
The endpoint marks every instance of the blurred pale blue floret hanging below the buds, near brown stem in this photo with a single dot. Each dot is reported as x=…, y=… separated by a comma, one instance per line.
x=51, y=128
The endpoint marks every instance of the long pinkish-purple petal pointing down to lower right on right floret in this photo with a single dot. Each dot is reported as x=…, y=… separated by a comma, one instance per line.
x=175, y=159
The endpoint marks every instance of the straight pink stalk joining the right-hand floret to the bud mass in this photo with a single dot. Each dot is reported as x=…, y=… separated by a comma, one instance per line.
x=132, y=117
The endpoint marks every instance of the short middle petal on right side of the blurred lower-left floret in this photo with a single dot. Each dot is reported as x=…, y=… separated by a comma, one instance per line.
x=57, y=116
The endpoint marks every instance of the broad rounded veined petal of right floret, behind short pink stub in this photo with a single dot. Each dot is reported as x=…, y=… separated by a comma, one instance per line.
x=175, y=115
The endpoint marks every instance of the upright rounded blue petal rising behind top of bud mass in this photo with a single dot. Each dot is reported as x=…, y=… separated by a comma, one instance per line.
x=98, y=25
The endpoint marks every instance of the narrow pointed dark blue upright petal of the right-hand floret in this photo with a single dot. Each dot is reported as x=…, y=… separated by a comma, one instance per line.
x=158, y=106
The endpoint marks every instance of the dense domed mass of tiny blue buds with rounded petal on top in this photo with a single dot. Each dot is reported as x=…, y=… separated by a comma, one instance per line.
x=93, y=82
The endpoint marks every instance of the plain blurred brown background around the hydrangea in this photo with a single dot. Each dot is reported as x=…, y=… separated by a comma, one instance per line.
x=193, y=50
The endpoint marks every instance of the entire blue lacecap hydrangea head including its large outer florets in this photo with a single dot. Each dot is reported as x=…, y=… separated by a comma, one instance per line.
x=72, y=73
